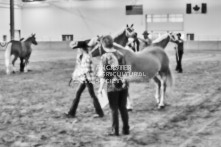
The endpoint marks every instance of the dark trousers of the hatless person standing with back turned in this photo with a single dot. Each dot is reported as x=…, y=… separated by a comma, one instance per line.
x=118, y=101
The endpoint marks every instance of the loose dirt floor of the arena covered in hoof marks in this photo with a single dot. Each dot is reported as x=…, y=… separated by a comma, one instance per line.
x=32, y=104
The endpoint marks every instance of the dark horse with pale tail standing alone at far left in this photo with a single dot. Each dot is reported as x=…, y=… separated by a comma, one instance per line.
x=21, y=49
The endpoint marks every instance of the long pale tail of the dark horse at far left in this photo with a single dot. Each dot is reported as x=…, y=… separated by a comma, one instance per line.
x=8, y=57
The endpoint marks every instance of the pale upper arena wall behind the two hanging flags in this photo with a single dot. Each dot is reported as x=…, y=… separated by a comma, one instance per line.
x=85, y=19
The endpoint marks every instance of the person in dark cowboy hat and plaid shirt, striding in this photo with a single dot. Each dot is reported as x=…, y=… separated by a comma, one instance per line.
x=85, y=76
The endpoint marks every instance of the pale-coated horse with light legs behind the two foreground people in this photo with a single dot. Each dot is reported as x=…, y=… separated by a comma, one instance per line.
x=153, y=63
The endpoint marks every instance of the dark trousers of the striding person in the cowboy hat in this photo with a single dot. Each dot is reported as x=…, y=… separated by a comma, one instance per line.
x=81, y=88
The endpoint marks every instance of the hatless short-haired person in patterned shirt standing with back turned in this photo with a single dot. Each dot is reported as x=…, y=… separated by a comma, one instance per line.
x=117, y=87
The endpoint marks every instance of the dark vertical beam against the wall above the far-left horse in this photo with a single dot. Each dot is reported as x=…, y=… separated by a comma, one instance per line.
x=12, y=23
